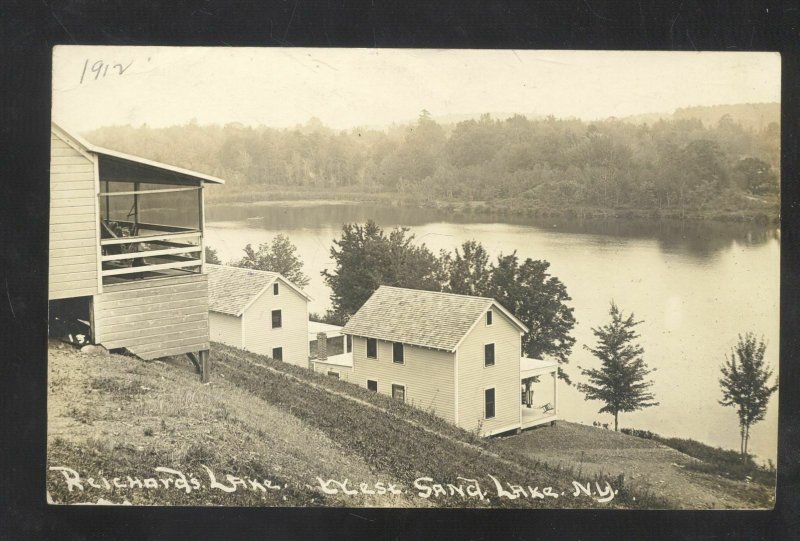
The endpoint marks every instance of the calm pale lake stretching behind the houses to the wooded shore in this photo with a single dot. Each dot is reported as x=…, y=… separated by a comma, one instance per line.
x=695, y=286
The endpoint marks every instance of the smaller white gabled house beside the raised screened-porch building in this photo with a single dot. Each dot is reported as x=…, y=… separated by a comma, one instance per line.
x=259, y=311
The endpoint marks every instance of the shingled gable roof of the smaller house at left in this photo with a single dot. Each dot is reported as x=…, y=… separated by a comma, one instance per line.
x=231, y=290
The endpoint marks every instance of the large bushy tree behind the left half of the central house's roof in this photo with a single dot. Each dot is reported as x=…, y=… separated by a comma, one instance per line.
x=367, y=258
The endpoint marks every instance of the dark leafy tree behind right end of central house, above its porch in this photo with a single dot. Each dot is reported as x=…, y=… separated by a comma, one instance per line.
x=538, y=300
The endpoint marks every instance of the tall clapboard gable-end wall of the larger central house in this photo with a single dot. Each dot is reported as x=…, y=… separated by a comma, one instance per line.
x=474, y=377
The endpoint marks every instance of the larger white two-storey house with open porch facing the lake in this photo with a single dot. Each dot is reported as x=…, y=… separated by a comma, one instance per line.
x=457, y=356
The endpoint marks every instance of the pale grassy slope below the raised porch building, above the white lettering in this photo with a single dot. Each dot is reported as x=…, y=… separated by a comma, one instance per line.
x=107, y=404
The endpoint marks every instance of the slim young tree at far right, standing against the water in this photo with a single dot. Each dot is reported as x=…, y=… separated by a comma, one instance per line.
x=745, y=384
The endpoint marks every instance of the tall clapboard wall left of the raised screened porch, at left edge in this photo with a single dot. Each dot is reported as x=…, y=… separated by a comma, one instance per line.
x=73, y=223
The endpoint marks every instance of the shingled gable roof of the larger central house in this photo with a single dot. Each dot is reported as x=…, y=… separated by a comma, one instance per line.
x=422, y=318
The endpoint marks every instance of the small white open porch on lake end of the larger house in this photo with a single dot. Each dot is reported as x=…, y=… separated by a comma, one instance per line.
x=539, y=392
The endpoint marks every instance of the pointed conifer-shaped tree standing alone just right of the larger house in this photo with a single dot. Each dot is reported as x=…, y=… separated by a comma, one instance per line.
x=620, y=381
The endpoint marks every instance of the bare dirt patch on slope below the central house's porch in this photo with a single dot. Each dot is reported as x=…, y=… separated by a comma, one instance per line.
x=646, y=465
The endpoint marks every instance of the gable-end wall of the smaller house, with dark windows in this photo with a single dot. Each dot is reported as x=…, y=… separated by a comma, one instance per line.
x=260, y=337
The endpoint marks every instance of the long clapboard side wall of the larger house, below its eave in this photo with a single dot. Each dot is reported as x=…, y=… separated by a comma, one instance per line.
x=427, y=375
